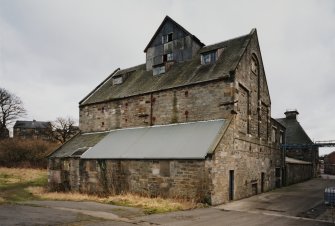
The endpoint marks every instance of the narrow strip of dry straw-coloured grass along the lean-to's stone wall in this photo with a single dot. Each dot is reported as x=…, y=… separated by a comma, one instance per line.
x=150, y=205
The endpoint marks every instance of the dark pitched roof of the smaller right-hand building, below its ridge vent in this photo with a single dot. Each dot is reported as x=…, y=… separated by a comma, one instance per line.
x=295, y=134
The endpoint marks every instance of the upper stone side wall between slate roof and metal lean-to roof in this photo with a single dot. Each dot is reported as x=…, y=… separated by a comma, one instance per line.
x=201, y=102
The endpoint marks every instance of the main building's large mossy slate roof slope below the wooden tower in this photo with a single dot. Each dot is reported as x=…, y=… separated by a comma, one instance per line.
x=139, y=81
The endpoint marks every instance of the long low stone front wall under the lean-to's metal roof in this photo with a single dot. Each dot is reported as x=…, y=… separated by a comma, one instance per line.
x=165, y=178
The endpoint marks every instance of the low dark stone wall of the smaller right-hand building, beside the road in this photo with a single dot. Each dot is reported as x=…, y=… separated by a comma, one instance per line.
x=296, y=173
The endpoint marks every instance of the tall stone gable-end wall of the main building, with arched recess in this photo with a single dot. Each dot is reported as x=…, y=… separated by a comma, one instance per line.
x=247, y=153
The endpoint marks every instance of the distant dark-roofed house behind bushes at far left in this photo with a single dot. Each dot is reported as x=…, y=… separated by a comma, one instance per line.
x=32, y=130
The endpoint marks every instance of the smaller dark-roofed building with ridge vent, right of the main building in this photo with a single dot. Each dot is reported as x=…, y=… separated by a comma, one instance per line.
x=302, y=162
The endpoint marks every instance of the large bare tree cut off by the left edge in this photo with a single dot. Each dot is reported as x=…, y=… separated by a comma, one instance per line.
x=11, y=108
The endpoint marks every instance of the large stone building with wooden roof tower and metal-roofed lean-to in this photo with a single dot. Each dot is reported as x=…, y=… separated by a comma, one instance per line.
x=194, y=121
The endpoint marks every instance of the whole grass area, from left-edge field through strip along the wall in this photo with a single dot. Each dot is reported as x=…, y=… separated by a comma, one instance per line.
x=17, y=185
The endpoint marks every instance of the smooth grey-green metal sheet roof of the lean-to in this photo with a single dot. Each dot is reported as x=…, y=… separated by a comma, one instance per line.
x=176, y=141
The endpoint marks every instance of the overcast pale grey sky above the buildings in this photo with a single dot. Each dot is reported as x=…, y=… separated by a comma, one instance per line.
x=53, y=53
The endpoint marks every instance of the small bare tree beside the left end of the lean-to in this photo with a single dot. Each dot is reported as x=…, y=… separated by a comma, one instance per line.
x=64, y=128
